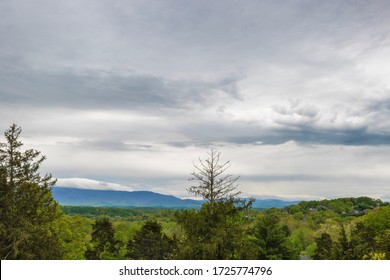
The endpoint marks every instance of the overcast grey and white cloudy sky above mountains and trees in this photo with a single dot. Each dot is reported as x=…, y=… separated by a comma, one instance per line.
x=129, y=94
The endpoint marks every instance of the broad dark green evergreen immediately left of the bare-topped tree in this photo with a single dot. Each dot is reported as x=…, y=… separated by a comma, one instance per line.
x=150, y=243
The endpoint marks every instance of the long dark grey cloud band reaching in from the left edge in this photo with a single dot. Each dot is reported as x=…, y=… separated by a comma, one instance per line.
x=107, y=90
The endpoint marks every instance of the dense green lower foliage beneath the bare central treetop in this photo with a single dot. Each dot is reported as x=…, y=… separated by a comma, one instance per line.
x=215, y=232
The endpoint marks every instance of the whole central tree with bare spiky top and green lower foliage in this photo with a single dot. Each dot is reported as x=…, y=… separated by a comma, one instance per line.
x=218, y=230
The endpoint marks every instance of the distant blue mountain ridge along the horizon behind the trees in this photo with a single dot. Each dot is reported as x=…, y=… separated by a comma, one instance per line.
x=108, y=198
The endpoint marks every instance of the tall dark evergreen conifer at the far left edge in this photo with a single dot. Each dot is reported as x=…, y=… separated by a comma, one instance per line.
x=28, y=211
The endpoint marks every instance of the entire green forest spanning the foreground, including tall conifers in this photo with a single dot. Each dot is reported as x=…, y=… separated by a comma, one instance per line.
x=34, y=226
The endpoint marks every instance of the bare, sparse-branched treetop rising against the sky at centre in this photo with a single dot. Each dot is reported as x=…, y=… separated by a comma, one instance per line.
x=213, y=182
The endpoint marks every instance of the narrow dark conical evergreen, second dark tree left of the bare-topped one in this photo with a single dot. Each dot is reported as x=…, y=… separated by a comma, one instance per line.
x=103, y=244
